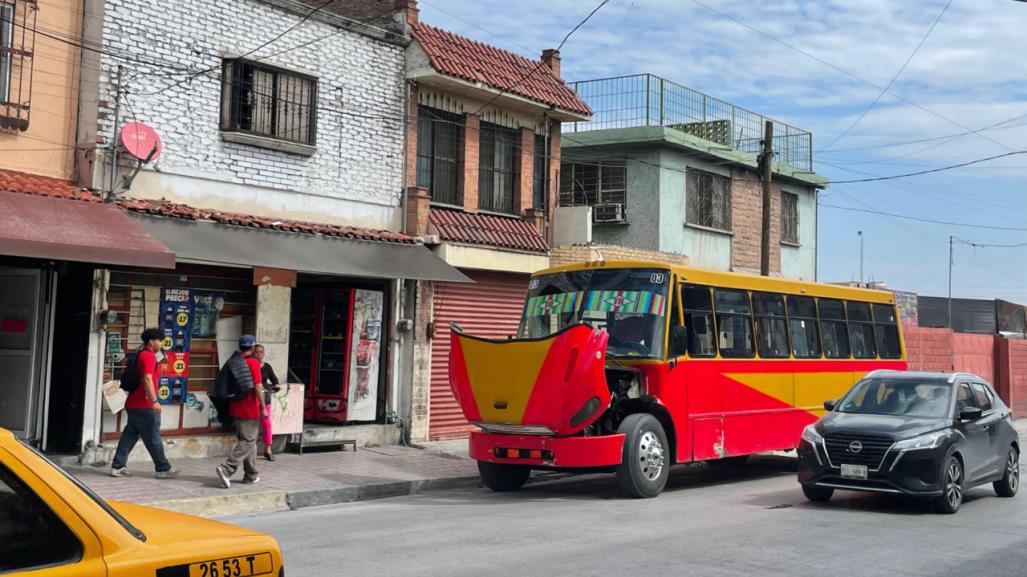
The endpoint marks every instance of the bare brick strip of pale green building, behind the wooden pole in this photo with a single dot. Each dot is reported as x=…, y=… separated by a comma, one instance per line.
x=747, y=222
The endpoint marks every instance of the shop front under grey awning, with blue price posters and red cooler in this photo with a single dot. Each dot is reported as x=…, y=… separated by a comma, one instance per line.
x=327, y=310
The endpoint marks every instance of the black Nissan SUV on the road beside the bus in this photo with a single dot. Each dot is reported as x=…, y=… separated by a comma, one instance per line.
x=926, y=435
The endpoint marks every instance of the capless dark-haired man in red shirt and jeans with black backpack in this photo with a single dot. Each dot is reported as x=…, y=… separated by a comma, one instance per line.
x=143, y=412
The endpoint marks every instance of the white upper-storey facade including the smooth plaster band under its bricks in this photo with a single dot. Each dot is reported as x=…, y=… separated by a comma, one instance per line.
x=353, y=175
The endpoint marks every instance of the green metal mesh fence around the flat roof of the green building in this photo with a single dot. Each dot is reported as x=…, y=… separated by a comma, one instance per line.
x=645, y=100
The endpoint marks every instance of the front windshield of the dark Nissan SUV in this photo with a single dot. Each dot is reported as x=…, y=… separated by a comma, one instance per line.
x=899, y=397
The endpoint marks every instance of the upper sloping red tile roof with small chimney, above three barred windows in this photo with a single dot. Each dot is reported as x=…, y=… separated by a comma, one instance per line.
x=455, y=56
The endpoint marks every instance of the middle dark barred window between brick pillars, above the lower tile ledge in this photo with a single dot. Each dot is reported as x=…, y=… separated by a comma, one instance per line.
x=499, y=168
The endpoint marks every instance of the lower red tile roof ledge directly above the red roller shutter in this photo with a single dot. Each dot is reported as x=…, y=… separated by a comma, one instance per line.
x=506, y=233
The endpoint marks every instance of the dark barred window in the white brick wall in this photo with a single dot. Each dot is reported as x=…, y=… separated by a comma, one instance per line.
x=269, y=102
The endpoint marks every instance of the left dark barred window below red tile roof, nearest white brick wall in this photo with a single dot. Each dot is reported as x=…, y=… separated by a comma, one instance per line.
x=440, y=143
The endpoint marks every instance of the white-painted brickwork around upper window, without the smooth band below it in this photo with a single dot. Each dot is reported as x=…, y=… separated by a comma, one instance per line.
x=361, y=82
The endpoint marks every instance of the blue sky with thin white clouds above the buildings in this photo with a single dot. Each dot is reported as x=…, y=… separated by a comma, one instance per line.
x=970, y=73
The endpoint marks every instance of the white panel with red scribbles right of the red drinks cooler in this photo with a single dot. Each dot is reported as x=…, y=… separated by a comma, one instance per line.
x=366, y=345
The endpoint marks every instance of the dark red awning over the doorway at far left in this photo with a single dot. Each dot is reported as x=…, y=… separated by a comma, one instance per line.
x=42, y=227
